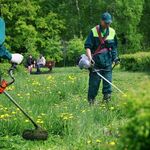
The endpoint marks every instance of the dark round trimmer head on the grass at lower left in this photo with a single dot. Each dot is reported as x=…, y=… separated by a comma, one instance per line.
x=36, y=134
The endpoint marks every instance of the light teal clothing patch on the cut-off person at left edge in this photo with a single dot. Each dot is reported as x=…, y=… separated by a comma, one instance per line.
x=2, y=31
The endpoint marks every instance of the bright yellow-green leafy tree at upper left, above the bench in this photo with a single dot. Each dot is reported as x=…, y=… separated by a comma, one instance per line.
x=31, y=31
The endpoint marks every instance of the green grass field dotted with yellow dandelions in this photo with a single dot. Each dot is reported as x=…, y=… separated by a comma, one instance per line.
x=57, y=101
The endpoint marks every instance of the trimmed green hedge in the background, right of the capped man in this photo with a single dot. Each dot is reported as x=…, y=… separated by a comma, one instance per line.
x=136, y=62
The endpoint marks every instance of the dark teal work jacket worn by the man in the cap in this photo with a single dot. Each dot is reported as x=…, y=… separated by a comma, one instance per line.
x=92, y=42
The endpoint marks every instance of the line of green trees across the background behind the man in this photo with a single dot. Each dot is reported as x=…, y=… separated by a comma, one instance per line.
x=59, y=28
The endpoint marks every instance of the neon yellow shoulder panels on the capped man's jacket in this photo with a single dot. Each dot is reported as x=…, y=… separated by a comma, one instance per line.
x=111, y=35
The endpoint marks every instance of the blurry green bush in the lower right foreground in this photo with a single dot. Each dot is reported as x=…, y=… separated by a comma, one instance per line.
x=135, y=134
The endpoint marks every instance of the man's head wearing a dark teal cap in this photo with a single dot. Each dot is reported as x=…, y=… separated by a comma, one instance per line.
x=106, y=20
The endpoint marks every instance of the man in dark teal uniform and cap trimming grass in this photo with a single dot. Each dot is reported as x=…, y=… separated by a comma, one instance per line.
x=101, y=50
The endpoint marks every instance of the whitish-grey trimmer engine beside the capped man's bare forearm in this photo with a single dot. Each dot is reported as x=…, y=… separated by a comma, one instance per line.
x=84, y=62
